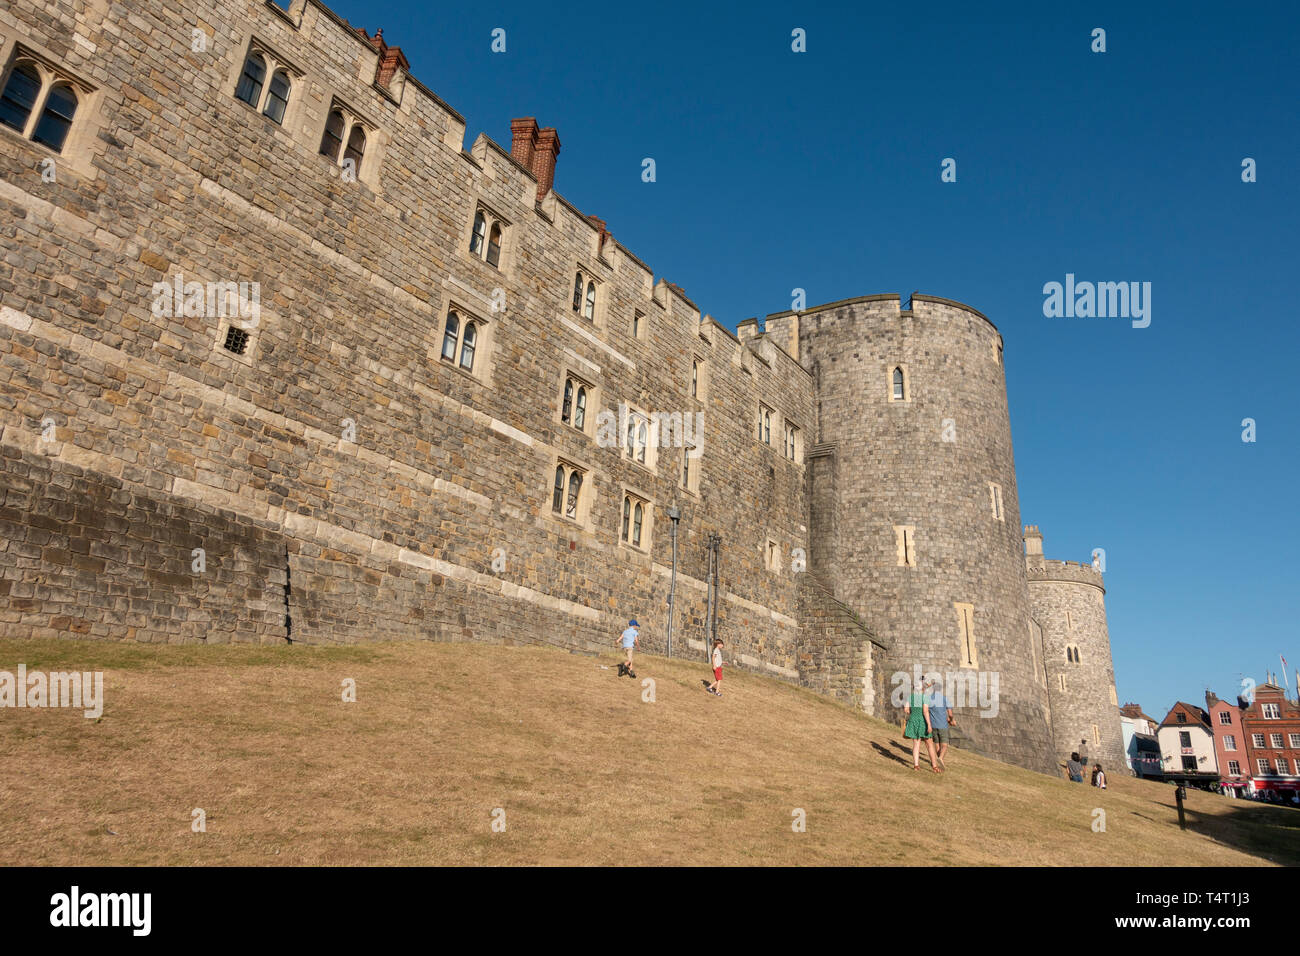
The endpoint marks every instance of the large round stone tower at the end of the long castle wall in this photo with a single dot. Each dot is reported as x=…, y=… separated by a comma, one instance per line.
x=915, y=511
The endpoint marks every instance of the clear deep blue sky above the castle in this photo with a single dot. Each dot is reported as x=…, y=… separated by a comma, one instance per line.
x=822, y=171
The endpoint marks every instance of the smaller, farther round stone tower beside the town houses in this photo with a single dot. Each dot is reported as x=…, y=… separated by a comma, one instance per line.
x=1069, y=603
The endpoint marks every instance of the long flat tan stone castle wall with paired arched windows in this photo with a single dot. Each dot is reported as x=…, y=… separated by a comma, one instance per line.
x=432, y=518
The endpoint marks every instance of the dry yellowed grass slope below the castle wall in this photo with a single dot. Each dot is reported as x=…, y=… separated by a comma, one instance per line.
x=443, y=734
